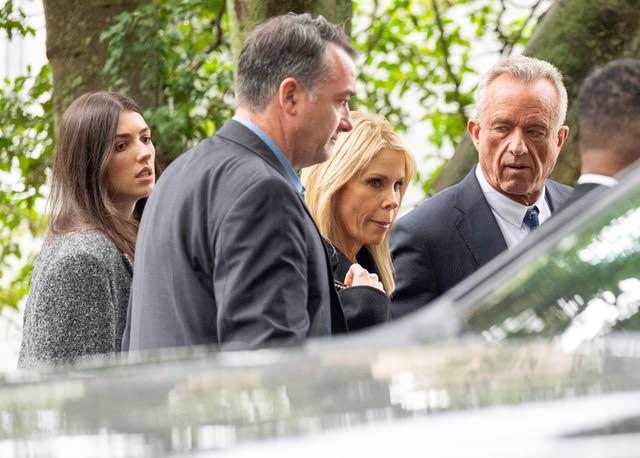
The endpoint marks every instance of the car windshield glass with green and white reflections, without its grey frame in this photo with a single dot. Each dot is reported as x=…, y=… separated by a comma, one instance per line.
x=584, y=284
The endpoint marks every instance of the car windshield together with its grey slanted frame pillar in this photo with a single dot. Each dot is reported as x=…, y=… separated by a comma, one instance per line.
x=576, y=277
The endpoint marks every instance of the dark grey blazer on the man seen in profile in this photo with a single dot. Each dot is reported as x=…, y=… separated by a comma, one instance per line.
x=227, y=253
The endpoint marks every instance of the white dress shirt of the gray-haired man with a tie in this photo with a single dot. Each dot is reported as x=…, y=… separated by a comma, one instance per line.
x=510, y=214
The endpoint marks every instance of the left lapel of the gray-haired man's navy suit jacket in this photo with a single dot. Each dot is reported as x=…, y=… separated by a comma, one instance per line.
x=475, y=223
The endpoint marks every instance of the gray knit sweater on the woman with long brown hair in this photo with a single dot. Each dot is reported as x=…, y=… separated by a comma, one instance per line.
x=77, y=303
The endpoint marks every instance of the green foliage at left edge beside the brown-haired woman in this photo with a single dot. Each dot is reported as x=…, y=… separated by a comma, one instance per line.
x=26, y=149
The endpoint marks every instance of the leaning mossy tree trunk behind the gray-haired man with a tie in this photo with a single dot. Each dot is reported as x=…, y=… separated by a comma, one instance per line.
x=576, y=36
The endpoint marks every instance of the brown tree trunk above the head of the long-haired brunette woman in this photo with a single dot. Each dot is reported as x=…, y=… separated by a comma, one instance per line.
x=74, y=50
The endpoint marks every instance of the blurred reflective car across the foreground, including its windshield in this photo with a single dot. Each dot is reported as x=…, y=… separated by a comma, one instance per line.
x=534, y=355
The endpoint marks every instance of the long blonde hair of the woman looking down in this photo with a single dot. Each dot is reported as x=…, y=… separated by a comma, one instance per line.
x=353, y=152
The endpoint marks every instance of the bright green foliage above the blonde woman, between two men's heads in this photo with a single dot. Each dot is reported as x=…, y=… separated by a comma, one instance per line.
x=416, y=59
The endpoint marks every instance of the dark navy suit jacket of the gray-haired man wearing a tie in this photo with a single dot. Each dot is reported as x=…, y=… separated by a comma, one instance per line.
x=446, y=239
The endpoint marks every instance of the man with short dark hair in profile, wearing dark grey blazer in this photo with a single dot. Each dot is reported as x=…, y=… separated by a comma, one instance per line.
x=227, y=252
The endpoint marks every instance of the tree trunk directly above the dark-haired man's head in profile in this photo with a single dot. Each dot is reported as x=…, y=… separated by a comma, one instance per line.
x=244, y=15
